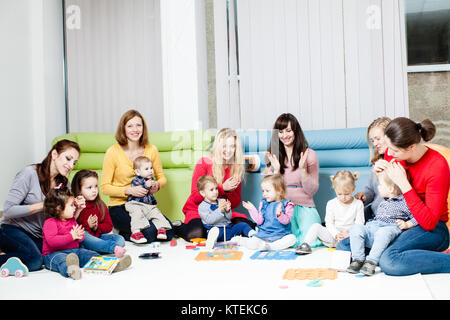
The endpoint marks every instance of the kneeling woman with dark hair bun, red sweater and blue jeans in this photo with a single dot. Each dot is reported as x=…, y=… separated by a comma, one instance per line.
x=423, y=176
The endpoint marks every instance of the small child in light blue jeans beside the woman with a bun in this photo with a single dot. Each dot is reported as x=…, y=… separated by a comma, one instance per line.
x=391, y=218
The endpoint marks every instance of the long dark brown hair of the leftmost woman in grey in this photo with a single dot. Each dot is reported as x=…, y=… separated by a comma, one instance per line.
x=43, y=168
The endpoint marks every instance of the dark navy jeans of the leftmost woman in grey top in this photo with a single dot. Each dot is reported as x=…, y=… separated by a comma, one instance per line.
x=16, y=242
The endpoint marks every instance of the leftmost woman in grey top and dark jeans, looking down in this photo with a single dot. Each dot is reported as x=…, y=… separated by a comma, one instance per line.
x=23, y=216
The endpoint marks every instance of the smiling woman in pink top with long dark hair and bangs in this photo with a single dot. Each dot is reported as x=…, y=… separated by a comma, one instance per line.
x=291, y=157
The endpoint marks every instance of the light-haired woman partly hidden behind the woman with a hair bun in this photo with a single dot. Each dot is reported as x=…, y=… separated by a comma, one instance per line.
x=377, y=146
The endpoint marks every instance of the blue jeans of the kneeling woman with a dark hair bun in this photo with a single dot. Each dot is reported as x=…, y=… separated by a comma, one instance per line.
x=414, y=251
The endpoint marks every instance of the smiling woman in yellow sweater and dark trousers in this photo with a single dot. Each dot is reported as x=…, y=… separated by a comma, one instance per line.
x=117, y=172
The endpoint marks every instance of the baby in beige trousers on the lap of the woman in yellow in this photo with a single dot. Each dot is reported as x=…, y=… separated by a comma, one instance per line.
x=143, y=209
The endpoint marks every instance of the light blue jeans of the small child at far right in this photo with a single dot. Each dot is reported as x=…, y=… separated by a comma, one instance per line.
x=374, y=234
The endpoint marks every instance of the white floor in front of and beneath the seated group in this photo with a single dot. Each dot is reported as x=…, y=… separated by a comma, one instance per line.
x=178, y=276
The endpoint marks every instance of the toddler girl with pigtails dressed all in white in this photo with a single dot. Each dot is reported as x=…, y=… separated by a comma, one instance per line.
x=342, y=213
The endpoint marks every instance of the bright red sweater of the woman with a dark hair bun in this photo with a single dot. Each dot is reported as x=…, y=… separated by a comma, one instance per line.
x=429, y=178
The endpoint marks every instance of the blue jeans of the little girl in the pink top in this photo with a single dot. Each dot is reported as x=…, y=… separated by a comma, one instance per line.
x=56, y=261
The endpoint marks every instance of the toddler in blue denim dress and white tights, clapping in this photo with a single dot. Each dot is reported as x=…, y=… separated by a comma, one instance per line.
x=273, y=217
